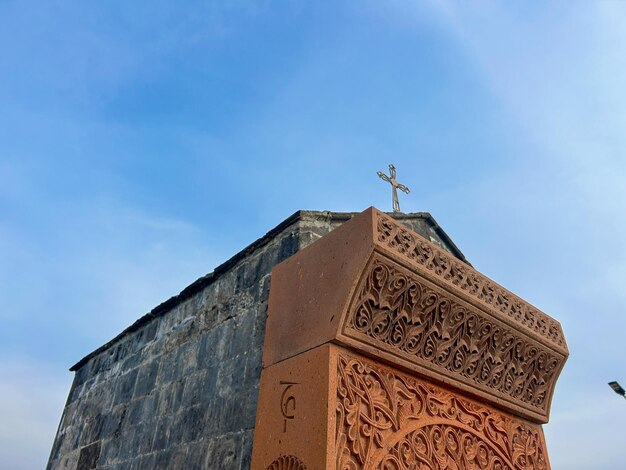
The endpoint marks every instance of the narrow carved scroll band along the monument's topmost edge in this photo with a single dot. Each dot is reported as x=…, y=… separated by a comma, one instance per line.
x=467, y=279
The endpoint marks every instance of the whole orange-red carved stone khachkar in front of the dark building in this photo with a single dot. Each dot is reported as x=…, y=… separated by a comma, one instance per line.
x=383, y=351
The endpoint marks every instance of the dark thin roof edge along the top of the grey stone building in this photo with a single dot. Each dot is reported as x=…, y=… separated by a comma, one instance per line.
x=211, y=277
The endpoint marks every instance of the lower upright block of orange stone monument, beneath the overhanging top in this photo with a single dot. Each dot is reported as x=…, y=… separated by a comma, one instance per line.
x=351, y=412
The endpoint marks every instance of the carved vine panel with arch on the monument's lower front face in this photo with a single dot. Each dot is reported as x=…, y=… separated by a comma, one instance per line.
x=387, y=420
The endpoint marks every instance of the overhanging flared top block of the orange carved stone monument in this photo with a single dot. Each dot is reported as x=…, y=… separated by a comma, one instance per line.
x=374, y=286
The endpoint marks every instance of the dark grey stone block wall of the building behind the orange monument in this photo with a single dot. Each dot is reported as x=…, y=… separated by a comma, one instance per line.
x=179, y=388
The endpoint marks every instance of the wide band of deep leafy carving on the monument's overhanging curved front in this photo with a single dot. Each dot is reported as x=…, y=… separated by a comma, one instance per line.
x=404, y=316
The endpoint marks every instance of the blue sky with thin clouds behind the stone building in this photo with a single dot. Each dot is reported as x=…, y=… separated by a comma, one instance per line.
x=144, y=143
